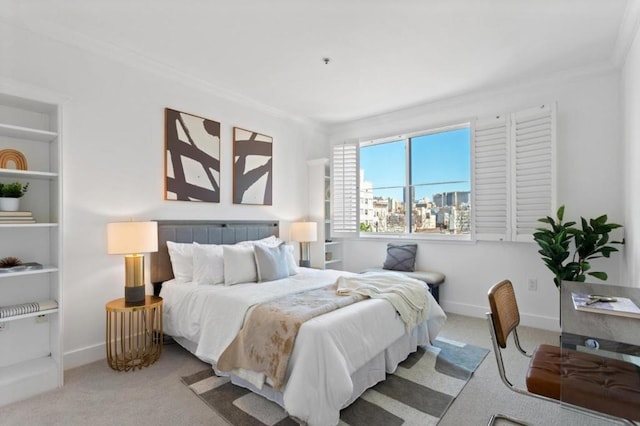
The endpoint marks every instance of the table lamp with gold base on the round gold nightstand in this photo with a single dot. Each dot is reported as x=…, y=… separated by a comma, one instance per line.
x=132, y=239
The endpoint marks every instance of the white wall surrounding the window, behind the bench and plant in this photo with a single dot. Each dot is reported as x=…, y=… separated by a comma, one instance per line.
x=590, y=181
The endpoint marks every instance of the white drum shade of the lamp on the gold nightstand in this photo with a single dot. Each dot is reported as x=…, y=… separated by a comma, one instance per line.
x=132, y=237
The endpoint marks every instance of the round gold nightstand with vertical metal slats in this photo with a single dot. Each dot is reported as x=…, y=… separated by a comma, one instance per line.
x=134, y=333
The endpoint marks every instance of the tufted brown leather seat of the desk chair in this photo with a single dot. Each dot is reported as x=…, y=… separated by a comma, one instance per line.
x=594, y=382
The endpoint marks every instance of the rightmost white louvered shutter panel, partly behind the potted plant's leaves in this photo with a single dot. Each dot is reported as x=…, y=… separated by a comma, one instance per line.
x=533, y=134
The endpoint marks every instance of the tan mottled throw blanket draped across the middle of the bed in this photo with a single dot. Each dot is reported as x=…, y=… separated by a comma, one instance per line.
x=265, y=342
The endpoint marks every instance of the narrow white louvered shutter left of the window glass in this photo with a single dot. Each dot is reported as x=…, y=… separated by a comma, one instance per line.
x=344, y=190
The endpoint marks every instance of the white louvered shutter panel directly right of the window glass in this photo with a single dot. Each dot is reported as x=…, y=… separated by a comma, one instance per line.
x=491, y=178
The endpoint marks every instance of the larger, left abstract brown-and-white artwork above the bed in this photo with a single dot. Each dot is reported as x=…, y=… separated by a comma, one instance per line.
x=192, y=157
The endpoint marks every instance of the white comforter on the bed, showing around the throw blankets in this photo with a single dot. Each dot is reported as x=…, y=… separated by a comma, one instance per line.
x=328, y=349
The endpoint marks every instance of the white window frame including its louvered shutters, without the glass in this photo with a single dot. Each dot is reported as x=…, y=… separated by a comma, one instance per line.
x=489, y=221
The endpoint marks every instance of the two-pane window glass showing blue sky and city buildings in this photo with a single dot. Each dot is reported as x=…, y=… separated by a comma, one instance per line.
x=419, y=184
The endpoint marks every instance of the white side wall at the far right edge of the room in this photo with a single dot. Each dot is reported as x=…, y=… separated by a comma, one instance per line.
x=631, y=108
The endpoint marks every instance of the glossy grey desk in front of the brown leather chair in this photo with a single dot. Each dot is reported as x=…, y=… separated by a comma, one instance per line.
x=609, y=332
